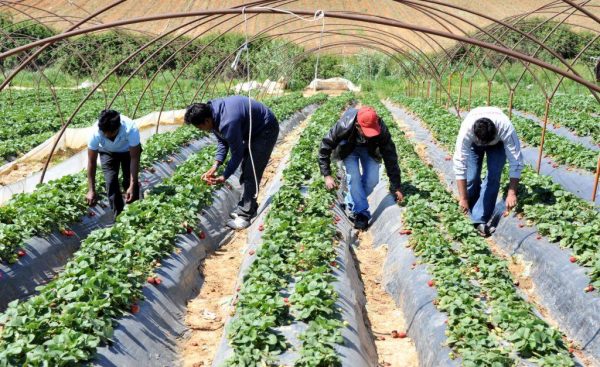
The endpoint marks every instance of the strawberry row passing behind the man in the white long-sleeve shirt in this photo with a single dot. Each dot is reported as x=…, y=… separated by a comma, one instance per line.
x=558, y=214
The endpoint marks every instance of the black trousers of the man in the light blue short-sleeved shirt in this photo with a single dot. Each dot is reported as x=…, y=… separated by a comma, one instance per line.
x=112, y=163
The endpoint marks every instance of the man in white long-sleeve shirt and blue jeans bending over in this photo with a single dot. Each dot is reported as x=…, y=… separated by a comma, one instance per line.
x=486, y=131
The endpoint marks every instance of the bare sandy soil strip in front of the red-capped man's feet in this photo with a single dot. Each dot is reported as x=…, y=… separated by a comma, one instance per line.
x=383, y=315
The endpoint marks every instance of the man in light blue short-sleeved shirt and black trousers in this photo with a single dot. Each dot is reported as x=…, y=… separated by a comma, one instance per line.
x=117, y=140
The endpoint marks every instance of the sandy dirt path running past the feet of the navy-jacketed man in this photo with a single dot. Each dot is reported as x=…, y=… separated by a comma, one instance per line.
x=207, y=313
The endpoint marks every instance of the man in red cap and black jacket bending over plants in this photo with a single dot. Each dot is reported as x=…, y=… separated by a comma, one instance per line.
x=361, y=140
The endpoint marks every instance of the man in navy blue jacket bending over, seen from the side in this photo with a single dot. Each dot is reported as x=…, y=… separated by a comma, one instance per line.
x=250, y=137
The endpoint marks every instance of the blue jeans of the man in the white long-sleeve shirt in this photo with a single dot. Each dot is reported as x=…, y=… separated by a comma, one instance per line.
x=483, y=195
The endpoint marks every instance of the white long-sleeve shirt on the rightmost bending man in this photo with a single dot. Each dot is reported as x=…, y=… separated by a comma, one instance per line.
x=505, y=133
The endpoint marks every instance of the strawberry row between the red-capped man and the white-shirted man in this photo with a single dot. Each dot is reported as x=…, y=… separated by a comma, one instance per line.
x=488, y=323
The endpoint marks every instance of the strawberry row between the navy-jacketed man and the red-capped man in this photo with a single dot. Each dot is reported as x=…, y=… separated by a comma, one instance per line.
x=297, y=247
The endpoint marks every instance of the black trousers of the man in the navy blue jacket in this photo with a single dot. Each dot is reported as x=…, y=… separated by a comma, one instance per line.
x=262, y=147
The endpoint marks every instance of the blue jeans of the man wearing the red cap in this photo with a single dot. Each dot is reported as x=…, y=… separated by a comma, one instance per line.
x=360, y=184
